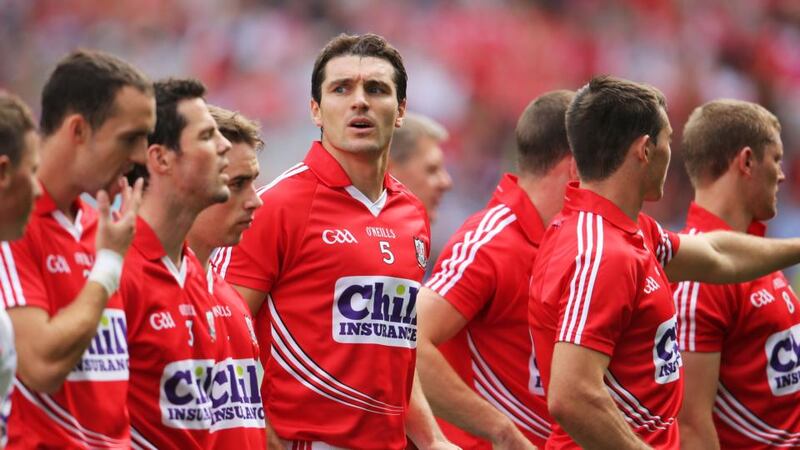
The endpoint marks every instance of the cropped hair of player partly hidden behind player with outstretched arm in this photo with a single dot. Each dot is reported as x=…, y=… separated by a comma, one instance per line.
x=542, y=132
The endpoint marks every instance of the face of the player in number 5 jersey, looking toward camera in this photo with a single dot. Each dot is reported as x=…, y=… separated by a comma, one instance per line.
x=358, y=109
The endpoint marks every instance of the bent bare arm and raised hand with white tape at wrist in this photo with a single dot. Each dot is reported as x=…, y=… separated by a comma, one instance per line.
x=49, y=347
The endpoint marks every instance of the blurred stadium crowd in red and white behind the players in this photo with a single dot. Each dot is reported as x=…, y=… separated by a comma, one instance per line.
x=473, y=65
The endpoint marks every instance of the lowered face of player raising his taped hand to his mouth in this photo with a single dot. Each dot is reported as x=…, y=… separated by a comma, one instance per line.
x=119, y=141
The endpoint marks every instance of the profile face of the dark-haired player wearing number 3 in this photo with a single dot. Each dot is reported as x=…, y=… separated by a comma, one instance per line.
x=200, y=164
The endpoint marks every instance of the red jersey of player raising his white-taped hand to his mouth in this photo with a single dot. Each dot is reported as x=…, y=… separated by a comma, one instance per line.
x=46, y=269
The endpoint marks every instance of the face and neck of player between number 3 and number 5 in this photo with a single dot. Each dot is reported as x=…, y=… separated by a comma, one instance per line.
x=223, y=224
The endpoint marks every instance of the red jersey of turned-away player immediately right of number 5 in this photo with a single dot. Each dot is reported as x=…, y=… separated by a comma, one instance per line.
x=484, y=273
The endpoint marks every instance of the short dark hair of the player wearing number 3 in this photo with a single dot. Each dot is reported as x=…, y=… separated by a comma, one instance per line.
x=169, y=122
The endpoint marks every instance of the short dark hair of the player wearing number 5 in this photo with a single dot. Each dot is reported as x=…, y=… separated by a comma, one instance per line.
x=359, y=45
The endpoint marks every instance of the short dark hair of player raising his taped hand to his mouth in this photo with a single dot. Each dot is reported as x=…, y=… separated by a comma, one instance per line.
x=86, y=82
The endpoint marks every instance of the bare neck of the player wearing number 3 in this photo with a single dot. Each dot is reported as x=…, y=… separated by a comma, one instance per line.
x=170, y=219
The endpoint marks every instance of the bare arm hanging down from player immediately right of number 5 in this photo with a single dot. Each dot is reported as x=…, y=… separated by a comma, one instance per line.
x=451, y=398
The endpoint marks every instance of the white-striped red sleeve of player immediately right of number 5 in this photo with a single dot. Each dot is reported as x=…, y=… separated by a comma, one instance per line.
x=467, y=281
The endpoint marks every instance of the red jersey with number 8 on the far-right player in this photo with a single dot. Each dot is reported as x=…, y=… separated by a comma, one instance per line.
x=755, y=327
